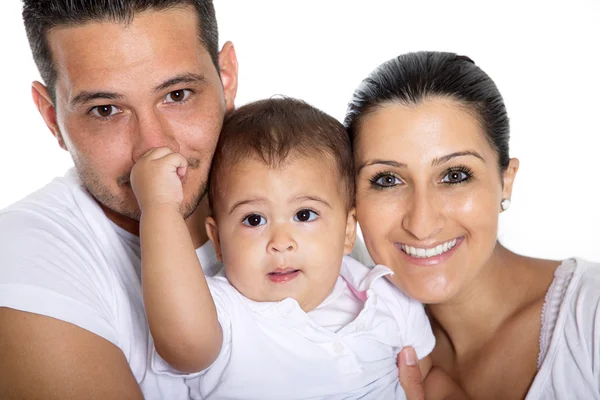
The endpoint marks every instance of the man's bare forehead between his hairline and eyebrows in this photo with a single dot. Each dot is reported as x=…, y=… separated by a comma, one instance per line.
x=107, y=55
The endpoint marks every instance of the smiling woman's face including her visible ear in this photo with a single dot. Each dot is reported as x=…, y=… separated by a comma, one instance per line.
x=428, y=195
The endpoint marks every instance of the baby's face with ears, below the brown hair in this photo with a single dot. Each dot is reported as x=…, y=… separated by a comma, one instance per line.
x=282, y=232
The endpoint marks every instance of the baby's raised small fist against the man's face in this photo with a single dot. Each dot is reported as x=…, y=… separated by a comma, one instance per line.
x=156, y=178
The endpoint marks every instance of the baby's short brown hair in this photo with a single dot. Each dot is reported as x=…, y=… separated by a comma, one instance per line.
x=276, y=130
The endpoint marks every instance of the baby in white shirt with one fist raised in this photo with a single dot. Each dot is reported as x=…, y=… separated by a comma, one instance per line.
x=289, y=316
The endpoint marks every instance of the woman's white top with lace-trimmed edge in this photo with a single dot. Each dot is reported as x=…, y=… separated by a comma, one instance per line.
x=568, y=340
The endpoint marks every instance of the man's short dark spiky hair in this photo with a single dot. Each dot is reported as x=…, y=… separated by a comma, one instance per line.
x=40, y=16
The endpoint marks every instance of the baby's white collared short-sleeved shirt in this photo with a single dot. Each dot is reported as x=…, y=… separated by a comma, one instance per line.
x=344, y=349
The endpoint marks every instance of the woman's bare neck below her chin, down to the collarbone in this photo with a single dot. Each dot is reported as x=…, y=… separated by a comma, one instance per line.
x=508, y=284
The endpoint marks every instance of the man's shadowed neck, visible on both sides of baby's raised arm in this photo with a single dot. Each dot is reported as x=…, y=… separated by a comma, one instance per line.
x=194, y=222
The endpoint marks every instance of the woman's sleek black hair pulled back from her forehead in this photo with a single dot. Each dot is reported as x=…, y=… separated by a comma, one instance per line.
x=413, y=77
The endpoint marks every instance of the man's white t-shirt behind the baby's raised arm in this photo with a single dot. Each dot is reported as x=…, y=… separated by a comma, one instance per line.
x=60, y=256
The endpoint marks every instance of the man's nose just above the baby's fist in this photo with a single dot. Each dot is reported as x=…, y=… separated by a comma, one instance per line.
x=152, y=131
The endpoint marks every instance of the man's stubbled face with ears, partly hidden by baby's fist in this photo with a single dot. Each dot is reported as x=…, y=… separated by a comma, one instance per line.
x=123, y=89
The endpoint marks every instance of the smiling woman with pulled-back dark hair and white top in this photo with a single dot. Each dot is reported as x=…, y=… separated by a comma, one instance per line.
x=430, y=135
